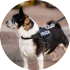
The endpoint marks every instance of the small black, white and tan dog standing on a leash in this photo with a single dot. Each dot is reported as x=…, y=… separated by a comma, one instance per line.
x=29, y=43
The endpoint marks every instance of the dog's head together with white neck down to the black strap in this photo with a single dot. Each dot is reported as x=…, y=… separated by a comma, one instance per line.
x=23, y=24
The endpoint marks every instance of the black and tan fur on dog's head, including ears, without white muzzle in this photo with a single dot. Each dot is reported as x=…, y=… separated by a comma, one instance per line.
x=21, y=18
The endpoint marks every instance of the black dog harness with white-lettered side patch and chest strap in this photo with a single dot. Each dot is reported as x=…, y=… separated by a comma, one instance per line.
x=43, y=34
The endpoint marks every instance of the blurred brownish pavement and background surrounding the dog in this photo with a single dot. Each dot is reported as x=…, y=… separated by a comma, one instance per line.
x=41, y=12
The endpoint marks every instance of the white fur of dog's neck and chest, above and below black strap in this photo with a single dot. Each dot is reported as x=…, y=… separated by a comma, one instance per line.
x=26, y=46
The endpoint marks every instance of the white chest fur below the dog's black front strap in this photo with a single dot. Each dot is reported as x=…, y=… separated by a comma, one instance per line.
x=26, y=47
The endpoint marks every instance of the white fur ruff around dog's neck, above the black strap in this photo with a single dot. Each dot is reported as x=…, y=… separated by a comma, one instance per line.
x=21, y=32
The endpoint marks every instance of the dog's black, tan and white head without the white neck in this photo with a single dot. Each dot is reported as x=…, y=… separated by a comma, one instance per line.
x=19, y=20
